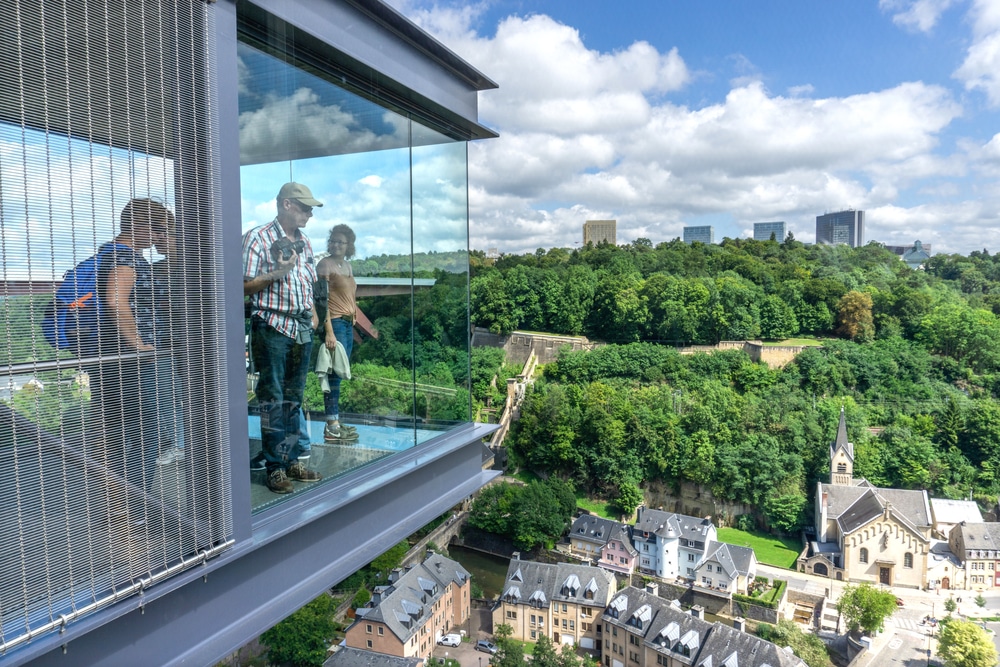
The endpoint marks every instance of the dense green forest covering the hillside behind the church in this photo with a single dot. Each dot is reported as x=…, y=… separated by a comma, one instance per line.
x=913, y=356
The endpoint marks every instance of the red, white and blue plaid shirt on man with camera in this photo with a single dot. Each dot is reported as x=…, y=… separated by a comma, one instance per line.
x=283, y=301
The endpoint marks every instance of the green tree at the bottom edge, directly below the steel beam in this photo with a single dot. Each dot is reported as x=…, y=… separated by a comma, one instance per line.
x=301, y=639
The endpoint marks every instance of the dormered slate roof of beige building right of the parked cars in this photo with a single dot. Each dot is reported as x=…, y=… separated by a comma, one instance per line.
x=541, y=584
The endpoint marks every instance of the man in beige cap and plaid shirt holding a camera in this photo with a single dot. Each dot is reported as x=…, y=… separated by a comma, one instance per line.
x=278, y=275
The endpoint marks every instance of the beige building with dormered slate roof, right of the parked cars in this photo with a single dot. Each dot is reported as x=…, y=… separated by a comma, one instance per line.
x=560, y=600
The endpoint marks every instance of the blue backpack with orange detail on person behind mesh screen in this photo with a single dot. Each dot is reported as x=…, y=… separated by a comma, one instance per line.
x=72, y=319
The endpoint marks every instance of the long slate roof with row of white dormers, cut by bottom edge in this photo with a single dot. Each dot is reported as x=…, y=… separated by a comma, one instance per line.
x=667, y=629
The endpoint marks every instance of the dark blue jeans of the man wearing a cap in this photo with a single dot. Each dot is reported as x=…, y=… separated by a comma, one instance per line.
x=282, y=365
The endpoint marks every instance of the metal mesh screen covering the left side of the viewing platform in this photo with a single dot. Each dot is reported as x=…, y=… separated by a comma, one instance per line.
x=112, y=462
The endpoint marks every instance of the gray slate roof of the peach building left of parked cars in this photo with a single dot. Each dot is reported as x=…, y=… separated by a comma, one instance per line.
x=407, y=603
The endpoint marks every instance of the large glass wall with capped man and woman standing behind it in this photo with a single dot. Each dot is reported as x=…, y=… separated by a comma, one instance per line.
x=383, y=262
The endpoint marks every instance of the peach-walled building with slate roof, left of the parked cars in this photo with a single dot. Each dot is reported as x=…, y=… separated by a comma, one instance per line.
x=420, y=605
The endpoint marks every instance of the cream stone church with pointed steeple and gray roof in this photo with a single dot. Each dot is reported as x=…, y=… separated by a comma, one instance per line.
x=866, y=533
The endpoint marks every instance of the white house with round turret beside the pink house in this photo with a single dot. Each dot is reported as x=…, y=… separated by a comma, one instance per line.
x=670, y=545
